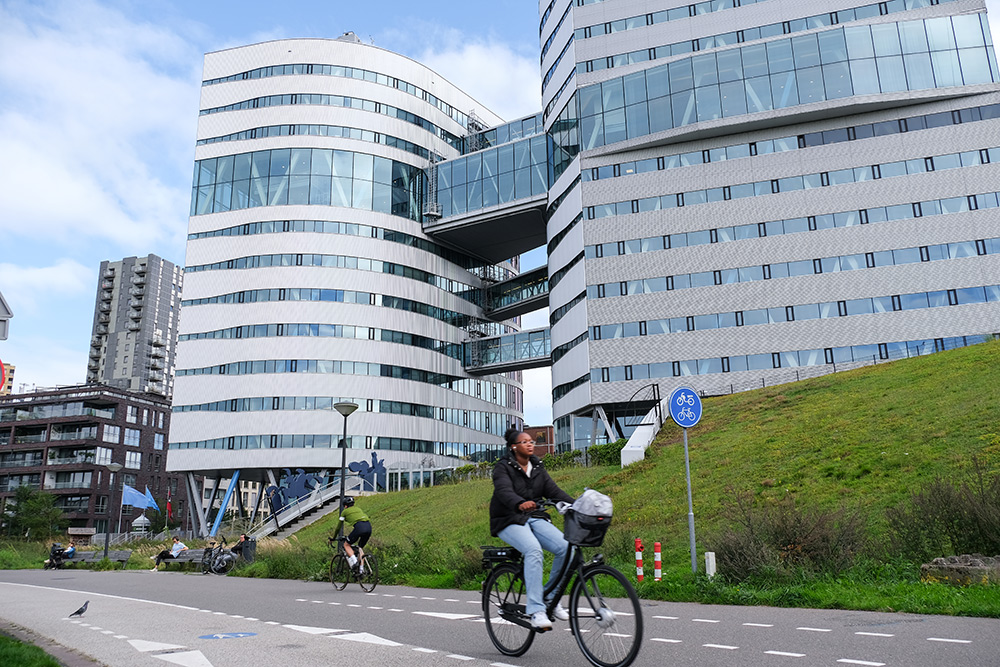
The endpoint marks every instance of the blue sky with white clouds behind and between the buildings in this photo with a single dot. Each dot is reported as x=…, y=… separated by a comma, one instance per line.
x=98, y=110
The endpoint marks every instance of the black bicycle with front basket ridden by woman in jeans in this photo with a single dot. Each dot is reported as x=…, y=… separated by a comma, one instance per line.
x=604, y=613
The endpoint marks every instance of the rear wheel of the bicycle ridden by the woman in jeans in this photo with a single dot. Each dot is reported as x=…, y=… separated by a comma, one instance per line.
x=504, y=595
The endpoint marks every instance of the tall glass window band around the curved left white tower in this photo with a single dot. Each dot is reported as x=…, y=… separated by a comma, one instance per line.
x=319, y=176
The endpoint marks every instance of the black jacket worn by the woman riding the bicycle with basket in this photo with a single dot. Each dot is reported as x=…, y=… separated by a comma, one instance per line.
x=511, y=487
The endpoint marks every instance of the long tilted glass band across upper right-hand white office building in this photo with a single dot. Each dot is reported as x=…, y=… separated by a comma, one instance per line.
x=834, y=64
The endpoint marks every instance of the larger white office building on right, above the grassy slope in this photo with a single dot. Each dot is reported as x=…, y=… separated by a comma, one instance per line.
x=763, y=189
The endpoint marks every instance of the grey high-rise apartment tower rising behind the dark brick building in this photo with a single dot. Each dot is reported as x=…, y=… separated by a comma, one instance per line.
x=135, y=325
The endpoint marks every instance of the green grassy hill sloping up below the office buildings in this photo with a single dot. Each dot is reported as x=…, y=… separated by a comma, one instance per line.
x=864, y=439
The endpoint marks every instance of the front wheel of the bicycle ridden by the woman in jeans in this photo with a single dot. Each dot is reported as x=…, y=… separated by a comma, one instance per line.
x=605, y=616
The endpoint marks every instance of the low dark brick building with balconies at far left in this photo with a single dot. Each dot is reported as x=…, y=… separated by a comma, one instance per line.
x=61, y=441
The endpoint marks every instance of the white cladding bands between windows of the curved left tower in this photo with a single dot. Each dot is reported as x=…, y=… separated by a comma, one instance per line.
x=197, y=390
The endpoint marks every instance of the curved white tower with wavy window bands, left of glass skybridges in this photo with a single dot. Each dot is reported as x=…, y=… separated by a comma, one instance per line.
x=310, y=281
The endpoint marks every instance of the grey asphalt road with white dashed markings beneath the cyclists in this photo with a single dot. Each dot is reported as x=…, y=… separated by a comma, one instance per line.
x=193, y=620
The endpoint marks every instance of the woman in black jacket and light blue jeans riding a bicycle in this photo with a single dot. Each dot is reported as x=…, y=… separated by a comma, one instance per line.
x=519, y=479
